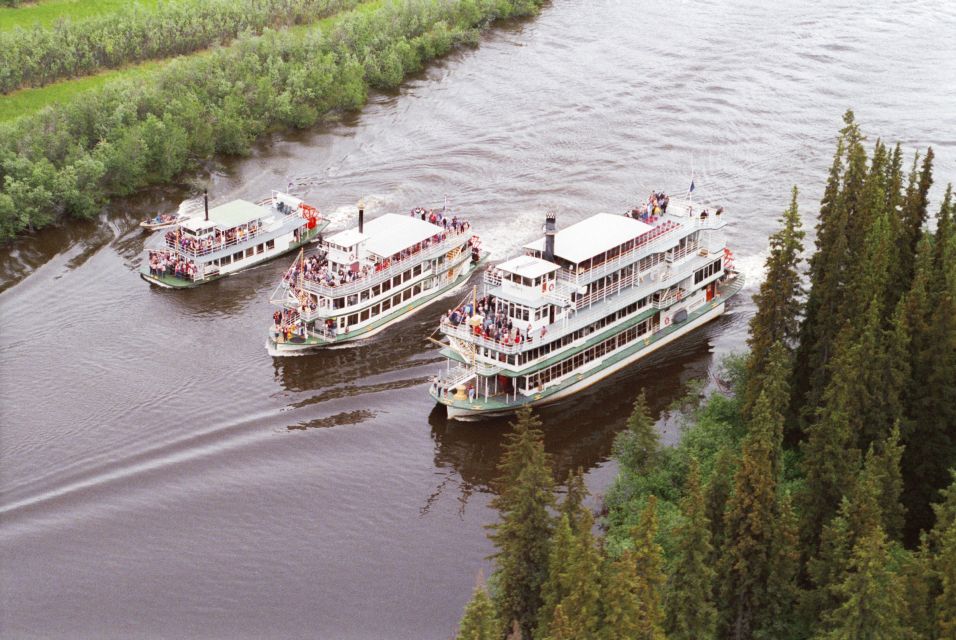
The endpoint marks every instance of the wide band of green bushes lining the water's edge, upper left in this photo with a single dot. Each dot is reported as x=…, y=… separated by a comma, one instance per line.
x=68, y=159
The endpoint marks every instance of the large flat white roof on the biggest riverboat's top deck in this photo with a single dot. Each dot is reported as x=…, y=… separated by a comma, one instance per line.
x=592, y=236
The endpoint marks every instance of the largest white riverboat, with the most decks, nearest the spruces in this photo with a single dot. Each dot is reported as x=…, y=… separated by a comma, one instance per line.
x=581, y=304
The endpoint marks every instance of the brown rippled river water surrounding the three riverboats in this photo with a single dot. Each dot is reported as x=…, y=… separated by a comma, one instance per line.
x=162, y=476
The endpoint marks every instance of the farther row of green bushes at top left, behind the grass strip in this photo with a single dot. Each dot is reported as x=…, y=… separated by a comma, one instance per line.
x=38, y=56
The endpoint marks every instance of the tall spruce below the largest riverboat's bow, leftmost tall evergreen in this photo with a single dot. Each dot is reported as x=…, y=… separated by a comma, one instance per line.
x=522, y=536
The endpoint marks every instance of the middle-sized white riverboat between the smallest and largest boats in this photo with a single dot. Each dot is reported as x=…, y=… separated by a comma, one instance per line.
x=364, y=279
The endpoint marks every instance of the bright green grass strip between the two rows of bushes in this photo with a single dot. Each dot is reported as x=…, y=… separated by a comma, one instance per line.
x=27, y=101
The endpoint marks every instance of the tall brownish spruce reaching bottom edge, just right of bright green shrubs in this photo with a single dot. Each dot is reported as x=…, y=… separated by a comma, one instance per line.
x=749, y=524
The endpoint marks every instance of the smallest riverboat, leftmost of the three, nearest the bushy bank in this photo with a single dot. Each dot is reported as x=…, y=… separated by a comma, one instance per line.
x=229, y=238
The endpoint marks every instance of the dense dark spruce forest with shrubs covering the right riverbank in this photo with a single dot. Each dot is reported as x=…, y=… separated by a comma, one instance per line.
x=815, y=501
